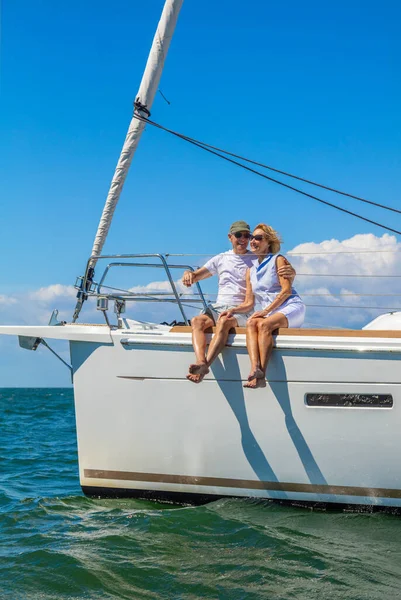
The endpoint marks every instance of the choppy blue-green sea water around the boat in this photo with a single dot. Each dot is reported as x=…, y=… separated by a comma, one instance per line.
x=55, y=543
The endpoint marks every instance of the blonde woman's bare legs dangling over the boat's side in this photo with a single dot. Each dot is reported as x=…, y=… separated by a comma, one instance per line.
x=260, y=346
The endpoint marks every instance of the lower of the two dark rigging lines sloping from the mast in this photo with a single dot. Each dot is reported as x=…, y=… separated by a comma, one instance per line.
x=286, y=185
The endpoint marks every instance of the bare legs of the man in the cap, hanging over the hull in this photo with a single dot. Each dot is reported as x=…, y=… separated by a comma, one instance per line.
x=199, y=325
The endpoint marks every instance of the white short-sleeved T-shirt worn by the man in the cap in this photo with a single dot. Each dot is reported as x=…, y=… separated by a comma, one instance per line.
x=231, y=270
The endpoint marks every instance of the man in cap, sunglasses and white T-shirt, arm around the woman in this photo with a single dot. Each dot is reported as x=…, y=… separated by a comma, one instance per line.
x=231, y=268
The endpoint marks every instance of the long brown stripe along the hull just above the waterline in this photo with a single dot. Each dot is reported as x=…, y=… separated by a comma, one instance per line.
x=249, y=484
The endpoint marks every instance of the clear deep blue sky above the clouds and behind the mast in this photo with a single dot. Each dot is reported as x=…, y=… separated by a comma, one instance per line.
x=313, y=88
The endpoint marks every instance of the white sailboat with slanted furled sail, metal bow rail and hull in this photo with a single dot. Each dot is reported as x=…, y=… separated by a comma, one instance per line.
x=325, y=429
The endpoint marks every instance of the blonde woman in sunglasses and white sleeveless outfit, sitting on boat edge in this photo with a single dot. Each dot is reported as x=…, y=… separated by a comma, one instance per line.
x=281, y=305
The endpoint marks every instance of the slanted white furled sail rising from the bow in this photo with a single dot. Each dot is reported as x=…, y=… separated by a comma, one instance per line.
x=146, y=94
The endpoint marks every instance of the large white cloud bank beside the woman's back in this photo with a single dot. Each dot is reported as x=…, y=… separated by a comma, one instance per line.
x=360, y=272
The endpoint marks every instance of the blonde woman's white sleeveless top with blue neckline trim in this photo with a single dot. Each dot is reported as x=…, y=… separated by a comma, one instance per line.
x=266, y=285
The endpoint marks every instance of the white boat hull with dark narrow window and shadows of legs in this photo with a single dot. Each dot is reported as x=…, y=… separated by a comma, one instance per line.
x=143, y=429
